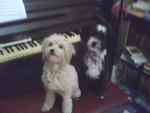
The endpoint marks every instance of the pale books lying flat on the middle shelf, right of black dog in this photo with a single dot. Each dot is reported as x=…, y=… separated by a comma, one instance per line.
x=134, y=56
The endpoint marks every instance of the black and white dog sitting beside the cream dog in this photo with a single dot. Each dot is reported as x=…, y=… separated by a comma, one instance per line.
x=95, y=63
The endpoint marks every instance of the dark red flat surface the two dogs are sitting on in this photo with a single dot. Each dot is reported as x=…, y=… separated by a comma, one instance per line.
x=32, y=102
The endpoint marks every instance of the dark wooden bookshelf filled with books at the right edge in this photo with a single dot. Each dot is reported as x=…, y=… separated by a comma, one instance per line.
x=132, y=76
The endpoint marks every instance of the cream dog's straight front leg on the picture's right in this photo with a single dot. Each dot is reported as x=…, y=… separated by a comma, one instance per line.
x=67, y=104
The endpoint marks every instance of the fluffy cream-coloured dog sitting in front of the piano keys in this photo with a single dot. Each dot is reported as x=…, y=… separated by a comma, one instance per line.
x=59, y=76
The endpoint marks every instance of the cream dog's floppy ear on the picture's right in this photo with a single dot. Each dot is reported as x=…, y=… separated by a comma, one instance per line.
x=70, y=52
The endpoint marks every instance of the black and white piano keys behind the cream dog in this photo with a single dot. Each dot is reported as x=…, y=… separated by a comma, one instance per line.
x=28, y=47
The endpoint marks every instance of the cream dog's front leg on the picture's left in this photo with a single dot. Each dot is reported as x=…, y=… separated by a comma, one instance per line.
x=49, y=101
